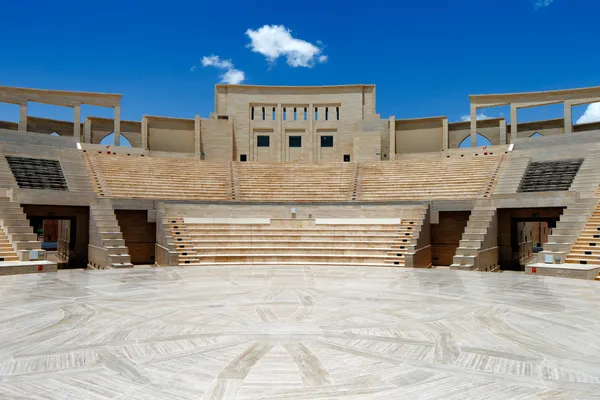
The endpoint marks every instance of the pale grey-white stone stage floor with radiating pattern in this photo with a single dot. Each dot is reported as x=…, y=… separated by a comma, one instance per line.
x=298, y=333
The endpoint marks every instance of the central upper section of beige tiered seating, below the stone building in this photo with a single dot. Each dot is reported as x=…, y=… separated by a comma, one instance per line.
x=295, y=182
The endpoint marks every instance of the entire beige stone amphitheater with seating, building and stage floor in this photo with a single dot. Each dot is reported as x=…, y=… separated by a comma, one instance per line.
x=297, y=245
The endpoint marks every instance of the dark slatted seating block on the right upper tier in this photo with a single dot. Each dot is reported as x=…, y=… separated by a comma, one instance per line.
x=549, y=176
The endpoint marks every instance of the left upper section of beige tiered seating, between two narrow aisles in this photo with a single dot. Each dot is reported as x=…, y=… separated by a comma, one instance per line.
x=159, y=177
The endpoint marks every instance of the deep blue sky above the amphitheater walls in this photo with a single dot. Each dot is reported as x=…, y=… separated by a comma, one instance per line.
x=424, y=57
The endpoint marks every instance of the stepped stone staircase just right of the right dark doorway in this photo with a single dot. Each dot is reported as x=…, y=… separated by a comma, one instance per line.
x=568, y=230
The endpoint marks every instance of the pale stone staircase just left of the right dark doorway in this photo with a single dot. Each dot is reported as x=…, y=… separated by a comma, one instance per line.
x=477, y=237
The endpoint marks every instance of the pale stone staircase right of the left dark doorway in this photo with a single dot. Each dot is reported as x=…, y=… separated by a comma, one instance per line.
x=107, y=246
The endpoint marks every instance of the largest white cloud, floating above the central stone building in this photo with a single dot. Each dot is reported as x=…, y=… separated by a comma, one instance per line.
x=274, y=41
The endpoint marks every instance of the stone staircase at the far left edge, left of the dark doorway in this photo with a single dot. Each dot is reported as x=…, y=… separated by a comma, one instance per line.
x=17, y=231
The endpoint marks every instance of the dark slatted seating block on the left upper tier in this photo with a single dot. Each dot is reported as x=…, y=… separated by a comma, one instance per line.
x=37, y=173
